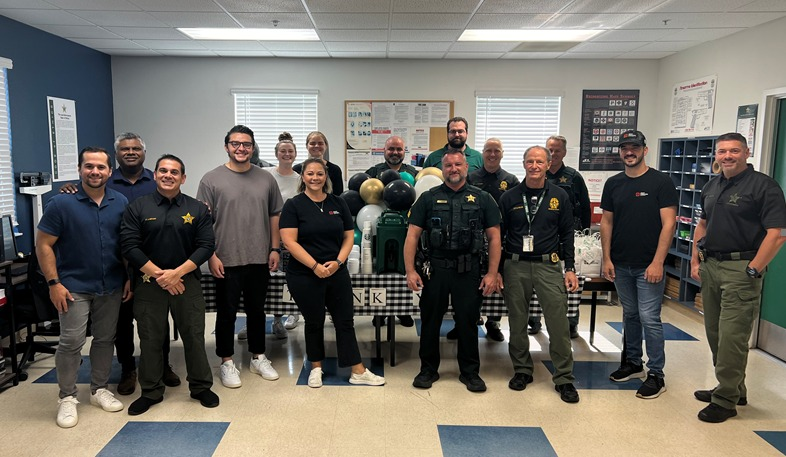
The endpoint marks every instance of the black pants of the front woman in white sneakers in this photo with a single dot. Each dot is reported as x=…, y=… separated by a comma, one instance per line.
x=312, y=295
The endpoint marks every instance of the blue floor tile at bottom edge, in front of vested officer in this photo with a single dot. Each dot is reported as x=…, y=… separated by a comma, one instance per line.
x=473, y=441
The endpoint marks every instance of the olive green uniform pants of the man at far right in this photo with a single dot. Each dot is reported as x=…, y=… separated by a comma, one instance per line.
x=731, y=302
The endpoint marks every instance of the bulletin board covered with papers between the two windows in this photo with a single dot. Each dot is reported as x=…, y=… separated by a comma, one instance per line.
x=368, y=123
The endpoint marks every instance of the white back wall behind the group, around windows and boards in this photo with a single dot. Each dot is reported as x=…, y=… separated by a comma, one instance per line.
x=183, y=106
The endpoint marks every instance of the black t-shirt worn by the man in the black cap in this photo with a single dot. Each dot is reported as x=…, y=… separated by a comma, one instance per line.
x=636, y=204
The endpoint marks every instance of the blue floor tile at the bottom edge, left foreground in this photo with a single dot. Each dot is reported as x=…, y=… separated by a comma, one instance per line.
x=170, y=439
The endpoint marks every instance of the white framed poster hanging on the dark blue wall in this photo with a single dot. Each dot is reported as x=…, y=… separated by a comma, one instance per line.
x=62, y=138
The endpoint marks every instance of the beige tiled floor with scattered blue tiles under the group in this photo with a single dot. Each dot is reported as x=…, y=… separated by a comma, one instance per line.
x=287, y=418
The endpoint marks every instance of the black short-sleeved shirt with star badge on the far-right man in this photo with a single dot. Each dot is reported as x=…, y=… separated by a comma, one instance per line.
x=740, y=210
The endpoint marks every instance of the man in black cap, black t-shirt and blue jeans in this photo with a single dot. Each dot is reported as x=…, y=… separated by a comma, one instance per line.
x=639, y=218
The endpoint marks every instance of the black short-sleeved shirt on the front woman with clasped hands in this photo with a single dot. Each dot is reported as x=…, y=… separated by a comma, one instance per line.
x=320, y=233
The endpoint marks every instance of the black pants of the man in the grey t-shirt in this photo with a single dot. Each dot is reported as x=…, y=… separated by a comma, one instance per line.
x=250, y=281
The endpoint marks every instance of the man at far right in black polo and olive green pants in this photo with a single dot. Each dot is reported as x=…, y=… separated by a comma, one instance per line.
x=739, y=233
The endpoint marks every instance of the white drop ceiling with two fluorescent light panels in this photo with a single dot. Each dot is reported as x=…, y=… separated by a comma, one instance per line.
x=427, y=29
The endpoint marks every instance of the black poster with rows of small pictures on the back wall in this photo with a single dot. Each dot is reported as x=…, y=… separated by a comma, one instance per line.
x=605, y=115
